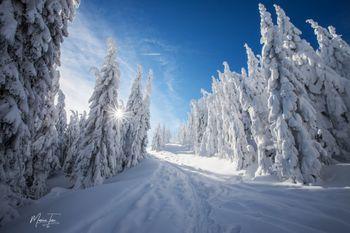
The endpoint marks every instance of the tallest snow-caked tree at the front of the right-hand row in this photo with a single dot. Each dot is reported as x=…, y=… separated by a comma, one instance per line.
x=291, y=114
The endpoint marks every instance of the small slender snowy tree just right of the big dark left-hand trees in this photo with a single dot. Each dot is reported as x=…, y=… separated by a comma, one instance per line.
x=61, y=125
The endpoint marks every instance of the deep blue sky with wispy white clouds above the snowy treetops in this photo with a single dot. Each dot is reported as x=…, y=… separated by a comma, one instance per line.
x=184, y=42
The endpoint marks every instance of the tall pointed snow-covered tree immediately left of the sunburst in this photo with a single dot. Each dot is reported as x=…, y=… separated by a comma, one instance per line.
x=99, y=153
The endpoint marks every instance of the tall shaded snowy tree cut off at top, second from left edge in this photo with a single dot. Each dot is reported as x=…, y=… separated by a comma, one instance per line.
x=48, y=26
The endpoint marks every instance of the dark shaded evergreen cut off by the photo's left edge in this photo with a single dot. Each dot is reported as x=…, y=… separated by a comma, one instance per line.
x=15, y=137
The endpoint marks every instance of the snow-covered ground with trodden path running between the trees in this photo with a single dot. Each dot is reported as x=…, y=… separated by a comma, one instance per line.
x=175, y=191
